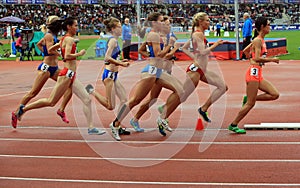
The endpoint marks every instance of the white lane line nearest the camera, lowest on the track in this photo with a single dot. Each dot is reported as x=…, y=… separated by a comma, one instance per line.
x=147, y=182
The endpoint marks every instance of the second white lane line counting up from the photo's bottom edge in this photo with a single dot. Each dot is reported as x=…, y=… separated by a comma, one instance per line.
x=152, y=159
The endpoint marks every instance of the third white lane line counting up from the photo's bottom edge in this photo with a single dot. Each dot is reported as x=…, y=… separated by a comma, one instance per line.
x=146, y=142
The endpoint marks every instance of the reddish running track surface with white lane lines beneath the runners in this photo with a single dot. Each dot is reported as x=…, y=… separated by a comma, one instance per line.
x=45, y=152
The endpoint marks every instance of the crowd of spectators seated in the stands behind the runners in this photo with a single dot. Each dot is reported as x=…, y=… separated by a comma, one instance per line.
x=90, y=17
